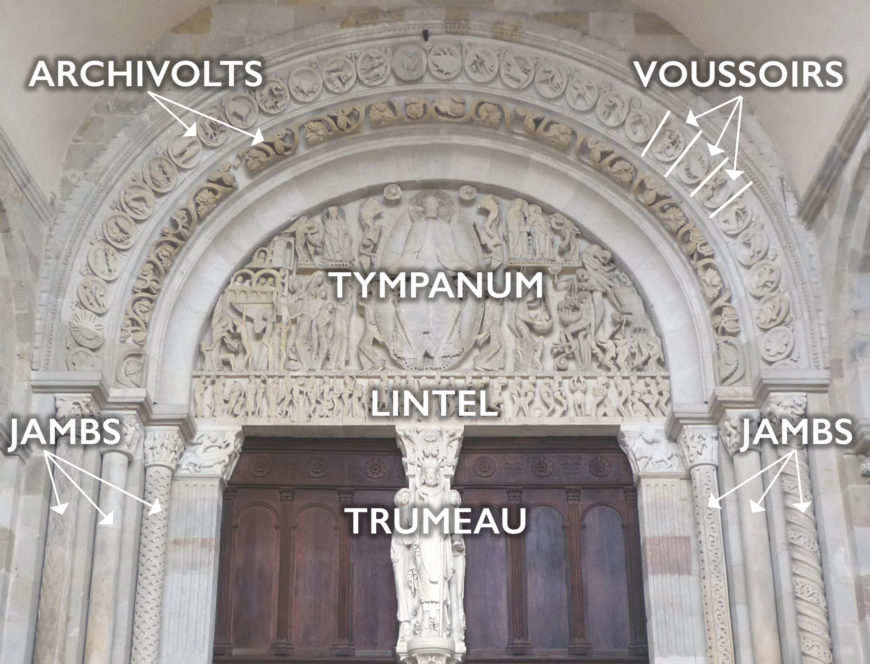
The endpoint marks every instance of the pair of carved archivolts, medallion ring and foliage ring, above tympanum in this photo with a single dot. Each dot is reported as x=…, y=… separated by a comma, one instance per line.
x=556, y=101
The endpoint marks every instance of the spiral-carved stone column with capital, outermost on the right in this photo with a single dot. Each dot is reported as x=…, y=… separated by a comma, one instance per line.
x=807, y=582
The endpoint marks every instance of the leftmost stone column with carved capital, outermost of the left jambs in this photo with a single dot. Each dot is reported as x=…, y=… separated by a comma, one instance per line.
x=66, y=565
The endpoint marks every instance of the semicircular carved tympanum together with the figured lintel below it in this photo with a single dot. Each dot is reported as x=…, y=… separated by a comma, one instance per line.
x=586, y=348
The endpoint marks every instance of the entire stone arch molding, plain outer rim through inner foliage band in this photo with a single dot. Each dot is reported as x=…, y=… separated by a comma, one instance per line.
x=569, y=104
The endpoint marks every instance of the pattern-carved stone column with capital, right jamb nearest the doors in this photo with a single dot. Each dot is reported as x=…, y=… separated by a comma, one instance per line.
x=700, y=448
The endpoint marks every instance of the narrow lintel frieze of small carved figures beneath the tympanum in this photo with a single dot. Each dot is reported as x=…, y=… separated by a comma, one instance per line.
x=312, y=399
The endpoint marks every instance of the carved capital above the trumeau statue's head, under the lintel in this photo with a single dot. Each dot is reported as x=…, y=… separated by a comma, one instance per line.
x=429, y=446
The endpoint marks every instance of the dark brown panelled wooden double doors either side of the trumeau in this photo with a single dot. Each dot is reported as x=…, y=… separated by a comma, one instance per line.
x=296, y=585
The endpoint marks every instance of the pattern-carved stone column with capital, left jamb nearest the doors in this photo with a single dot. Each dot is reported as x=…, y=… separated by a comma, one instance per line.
x=163, y=447
